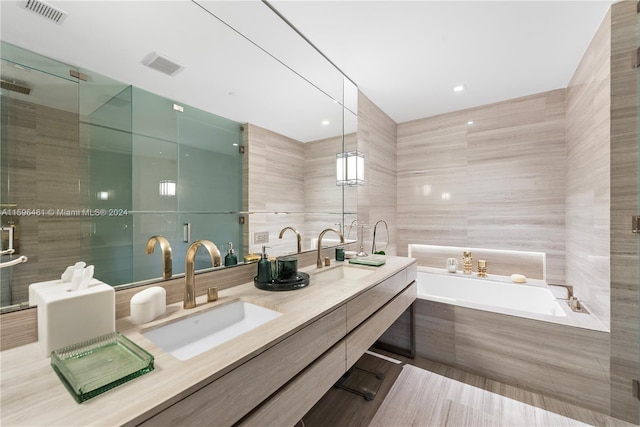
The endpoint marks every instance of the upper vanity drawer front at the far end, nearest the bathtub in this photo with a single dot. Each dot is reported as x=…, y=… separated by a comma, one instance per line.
x=360, y=308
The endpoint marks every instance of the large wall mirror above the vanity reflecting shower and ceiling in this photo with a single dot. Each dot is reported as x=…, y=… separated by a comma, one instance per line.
x=100, y=151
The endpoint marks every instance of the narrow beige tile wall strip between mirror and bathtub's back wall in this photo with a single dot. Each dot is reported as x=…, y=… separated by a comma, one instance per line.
x=377, y=199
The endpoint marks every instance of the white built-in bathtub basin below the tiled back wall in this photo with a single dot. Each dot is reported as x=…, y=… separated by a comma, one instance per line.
x=491, y=294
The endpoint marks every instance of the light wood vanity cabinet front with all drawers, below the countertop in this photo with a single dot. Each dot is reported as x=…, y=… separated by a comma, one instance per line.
x=280, y=385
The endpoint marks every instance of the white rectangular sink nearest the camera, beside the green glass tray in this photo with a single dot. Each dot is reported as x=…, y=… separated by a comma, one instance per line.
x=200, y=332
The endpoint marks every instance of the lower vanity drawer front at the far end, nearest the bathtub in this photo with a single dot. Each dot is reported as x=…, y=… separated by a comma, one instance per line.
x=363, y=337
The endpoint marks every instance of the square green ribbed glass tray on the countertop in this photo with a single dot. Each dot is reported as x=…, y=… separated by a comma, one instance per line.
x=93, y=367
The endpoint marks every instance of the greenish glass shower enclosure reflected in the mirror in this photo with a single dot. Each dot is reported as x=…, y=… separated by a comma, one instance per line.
x=91, y=168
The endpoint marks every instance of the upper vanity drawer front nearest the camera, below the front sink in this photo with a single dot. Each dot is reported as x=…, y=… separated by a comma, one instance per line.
x=232, y=396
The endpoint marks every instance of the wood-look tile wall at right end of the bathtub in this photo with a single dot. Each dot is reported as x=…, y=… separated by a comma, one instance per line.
x=588, y=171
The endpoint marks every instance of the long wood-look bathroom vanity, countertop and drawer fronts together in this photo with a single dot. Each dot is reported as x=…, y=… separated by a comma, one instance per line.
x=272, y=374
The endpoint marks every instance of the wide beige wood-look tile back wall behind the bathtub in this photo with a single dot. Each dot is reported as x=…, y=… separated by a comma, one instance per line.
x=498, y=183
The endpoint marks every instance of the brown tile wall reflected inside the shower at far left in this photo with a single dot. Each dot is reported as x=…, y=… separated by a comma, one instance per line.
x=43, y=153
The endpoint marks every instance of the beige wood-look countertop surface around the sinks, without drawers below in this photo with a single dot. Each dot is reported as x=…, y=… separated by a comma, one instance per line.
x=33, y=395
